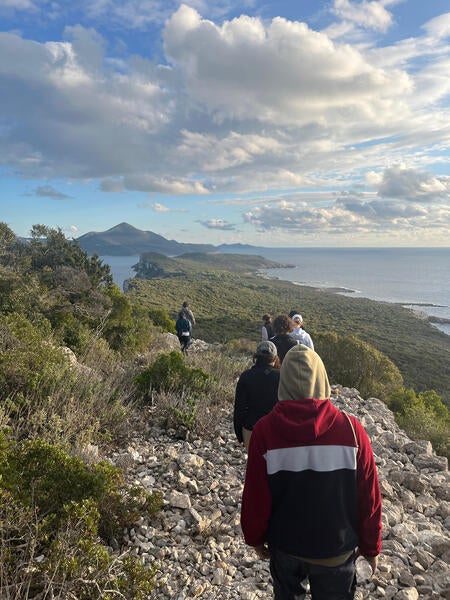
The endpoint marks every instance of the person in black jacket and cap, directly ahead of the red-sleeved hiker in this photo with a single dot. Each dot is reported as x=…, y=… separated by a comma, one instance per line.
x=256, y=391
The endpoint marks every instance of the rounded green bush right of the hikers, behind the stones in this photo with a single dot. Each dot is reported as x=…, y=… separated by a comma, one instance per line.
x=354, y=363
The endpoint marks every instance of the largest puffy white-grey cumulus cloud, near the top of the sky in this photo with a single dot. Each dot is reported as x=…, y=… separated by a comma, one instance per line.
x=281, y=73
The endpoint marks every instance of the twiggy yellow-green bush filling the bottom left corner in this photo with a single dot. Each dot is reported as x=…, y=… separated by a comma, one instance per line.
x=39, y=560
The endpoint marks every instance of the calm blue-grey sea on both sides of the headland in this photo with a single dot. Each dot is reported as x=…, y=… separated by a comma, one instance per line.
x=418, y=278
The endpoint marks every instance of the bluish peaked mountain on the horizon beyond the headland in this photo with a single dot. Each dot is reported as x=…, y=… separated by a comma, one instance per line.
x=126, y=240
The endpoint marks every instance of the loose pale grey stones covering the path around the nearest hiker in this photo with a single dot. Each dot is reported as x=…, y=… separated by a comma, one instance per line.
x=196, y=541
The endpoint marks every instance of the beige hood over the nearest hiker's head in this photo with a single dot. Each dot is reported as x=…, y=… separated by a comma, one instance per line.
x=303, y=376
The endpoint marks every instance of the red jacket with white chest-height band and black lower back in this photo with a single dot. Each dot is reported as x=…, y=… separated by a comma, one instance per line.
x=310, y=489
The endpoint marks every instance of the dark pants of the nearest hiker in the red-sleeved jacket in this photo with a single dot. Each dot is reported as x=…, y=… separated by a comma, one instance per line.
x=291, y=575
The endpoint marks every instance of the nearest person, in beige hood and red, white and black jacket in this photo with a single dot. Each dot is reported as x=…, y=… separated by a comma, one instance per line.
x=311, y=500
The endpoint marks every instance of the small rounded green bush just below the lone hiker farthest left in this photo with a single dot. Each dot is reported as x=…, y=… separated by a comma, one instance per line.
x=169, y=372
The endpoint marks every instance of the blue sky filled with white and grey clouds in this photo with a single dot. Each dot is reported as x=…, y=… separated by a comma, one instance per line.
x=284, y=123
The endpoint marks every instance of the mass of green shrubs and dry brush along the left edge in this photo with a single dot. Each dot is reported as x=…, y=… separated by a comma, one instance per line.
x=66, y=336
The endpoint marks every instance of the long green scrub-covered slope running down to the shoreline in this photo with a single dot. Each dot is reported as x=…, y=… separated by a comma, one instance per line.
x=229, y=304
